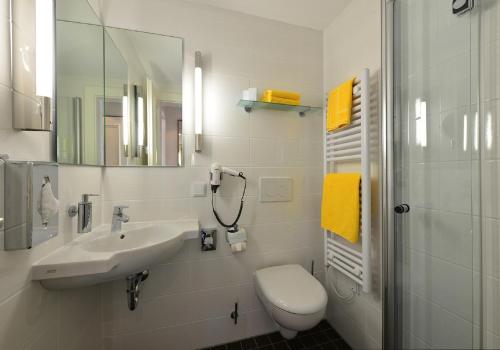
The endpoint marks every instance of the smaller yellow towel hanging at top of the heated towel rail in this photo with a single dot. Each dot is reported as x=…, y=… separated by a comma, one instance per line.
x=339, y=106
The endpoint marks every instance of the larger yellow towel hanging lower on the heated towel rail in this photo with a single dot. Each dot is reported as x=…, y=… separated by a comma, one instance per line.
x=340, y=205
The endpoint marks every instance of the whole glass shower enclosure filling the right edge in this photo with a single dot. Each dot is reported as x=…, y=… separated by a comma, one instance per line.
x=442, y=189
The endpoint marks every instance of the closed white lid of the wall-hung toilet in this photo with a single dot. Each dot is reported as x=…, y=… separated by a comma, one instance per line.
x=291, y=288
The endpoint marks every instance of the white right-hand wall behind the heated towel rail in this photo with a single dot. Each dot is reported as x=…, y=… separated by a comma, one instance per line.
x=350, y=43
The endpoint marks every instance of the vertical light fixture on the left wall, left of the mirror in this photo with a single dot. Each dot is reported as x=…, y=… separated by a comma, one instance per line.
x=32, y=108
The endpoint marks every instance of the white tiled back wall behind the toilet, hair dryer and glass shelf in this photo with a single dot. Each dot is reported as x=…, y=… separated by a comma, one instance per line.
x=187, y=300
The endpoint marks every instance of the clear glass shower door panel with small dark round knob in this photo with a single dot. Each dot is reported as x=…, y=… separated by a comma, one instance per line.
x=436, y=158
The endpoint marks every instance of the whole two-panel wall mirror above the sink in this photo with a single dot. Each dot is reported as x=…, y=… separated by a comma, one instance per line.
x=119, y=96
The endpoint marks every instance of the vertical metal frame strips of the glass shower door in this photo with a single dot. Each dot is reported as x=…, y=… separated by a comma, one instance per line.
x=391, y=250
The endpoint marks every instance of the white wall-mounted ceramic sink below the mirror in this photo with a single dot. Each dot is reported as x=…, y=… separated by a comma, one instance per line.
x=102, y=255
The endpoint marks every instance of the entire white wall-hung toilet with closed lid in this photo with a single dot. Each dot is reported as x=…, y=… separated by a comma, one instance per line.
x=294, y=299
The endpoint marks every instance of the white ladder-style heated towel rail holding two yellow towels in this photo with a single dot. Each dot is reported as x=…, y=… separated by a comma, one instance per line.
x=348, y=147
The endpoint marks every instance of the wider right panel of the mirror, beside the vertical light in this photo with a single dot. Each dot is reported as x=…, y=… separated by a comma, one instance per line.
x=143, y=103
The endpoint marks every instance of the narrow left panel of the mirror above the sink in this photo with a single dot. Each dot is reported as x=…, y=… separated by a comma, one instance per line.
x=80, y=93
